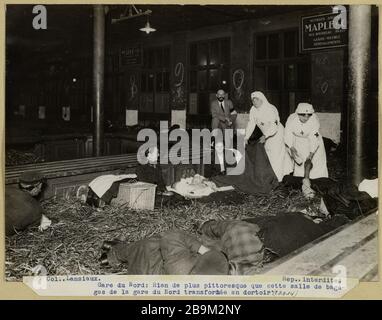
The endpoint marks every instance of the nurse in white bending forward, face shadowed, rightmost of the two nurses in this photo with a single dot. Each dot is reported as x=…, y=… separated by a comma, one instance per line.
x=304, y=141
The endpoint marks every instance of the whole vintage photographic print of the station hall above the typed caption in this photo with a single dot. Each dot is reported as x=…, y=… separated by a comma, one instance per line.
x=191, y=140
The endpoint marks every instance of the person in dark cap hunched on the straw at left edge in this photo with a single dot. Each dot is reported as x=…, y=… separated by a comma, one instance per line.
x=22, y=208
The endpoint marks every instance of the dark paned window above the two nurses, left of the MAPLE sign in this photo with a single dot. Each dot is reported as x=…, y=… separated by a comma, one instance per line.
x=280, y=71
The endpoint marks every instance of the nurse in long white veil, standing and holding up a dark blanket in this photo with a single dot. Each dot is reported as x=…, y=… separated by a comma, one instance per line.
x=266, y=117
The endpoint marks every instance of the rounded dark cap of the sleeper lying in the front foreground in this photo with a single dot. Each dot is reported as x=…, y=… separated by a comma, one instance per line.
x=212, y=262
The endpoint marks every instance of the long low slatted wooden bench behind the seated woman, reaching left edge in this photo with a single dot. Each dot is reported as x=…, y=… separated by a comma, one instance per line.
x=65, y=177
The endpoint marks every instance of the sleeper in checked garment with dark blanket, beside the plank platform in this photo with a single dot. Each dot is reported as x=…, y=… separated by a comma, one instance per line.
x=251, y=242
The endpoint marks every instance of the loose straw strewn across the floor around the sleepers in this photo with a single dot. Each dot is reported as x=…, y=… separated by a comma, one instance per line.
x=72, y=244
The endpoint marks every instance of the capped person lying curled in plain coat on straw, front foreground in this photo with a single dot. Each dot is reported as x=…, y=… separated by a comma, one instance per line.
x=172, y=252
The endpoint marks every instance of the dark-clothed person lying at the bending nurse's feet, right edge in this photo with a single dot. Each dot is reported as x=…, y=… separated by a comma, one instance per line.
x=339, y=198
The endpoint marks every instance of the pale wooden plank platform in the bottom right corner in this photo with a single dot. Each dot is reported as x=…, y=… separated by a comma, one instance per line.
x=354, y=246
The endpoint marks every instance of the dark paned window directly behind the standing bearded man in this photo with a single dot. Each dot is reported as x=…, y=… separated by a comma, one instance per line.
x=209, y=71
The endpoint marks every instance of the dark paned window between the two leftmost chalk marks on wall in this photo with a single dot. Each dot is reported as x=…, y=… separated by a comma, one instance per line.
x=155, y=80
